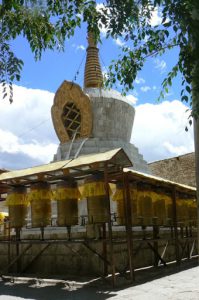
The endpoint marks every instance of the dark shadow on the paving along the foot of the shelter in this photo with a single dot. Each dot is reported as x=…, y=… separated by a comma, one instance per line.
x=85, y=289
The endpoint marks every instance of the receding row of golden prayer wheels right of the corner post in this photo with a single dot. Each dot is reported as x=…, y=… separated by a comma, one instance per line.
x=151, y=208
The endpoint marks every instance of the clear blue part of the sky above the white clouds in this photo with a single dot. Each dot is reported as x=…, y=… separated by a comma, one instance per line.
x=49, y=72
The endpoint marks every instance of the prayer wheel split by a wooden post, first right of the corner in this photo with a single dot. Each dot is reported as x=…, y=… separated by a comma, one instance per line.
x=119, y=198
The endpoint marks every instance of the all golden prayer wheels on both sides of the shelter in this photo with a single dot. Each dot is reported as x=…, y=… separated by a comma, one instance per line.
x=147, y=207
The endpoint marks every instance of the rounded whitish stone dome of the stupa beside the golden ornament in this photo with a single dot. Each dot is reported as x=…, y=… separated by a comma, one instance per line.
x=113, y=117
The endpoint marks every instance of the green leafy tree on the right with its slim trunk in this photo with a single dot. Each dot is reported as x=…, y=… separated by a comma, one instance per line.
x=179, y=28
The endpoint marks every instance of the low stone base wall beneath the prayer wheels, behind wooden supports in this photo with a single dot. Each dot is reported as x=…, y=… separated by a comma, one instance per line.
x=63, y=257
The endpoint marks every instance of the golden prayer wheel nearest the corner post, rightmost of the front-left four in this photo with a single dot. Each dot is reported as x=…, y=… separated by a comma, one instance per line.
x=97, y=201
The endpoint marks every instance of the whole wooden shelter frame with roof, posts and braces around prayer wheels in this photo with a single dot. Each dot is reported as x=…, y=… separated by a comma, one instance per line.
x=112, y=165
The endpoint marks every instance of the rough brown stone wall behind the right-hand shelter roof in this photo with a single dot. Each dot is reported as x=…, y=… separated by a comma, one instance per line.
x=179, y=169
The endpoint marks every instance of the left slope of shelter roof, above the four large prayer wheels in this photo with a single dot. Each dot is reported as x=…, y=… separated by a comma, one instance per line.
x=114, y=159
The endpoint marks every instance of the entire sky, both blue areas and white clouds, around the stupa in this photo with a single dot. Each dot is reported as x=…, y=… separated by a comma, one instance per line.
x=26, y=128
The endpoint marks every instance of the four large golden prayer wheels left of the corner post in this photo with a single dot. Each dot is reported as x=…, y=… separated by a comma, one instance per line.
x=66, y=195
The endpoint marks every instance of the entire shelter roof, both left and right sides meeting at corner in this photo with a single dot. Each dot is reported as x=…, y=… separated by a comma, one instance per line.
x=115, y=161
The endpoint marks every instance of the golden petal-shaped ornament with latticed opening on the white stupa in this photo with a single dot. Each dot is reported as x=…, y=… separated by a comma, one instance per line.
x=71, y=112
